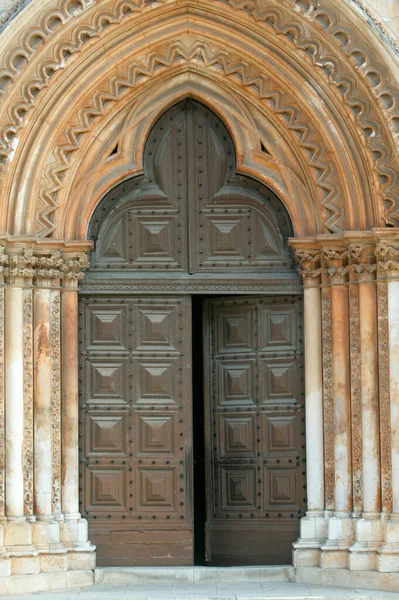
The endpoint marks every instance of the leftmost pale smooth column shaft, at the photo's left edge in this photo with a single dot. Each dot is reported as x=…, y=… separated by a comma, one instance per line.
x=14, y=401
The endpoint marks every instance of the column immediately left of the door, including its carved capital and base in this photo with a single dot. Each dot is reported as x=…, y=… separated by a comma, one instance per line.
x=74, y=529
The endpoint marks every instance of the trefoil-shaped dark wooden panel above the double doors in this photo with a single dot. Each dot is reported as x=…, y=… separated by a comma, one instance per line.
x=190, y=212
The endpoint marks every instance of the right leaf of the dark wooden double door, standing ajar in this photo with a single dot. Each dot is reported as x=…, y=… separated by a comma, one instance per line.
x=255, y=429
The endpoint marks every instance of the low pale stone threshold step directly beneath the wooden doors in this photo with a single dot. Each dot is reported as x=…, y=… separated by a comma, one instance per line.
x=142, y=575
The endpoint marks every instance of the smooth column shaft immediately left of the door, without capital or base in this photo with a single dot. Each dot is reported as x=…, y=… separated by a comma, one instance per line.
x=70, y=402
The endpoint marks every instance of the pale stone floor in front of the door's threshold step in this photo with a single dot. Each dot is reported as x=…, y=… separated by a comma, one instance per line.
x=205, y=591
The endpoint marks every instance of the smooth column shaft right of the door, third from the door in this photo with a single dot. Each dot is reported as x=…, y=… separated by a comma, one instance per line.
x=369, y=394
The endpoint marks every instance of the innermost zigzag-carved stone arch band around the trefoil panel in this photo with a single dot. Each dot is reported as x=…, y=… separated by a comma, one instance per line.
x=267, y=90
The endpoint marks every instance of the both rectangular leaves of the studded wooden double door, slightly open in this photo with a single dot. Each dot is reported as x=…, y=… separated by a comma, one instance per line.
x=192, y=428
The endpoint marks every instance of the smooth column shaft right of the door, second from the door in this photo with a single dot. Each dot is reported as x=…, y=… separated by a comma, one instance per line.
x=341, y=394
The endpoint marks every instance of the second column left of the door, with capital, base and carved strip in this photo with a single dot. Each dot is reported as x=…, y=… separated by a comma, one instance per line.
x=47, y=404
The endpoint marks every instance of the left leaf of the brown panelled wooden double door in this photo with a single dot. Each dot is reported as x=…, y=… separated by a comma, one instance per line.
x=136, y=429
